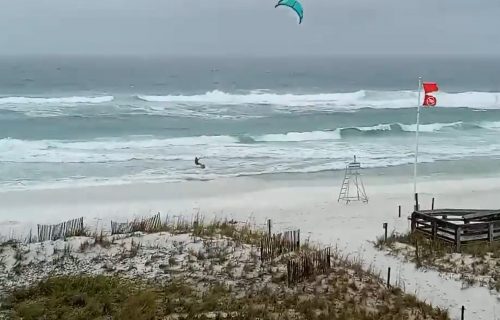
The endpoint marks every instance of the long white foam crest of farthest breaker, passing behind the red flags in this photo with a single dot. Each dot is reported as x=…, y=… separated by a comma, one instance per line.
x=349, y=100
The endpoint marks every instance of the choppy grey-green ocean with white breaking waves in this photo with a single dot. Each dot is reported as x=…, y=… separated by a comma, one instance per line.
x=67, y=121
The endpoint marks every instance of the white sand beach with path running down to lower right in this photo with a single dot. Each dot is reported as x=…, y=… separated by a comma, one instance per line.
x=309, y=205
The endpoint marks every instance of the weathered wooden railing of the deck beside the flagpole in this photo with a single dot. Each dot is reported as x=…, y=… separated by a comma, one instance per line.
x=458, y=227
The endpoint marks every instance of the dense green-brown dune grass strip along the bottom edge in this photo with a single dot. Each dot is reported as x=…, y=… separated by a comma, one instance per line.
x=101, y=297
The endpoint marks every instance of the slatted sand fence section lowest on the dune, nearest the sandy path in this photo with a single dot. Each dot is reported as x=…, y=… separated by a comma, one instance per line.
x=308, y=264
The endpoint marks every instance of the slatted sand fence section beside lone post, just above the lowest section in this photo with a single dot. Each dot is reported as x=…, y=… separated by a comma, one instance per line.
x=278, y=244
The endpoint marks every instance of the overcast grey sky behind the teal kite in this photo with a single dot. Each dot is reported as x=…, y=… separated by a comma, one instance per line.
x=174, y=27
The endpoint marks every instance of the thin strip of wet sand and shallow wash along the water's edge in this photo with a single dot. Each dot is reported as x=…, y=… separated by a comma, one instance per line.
x=473, y=167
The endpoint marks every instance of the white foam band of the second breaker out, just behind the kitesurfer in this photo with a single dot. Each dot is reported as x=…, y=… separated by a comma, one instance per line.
x=153, y=148
